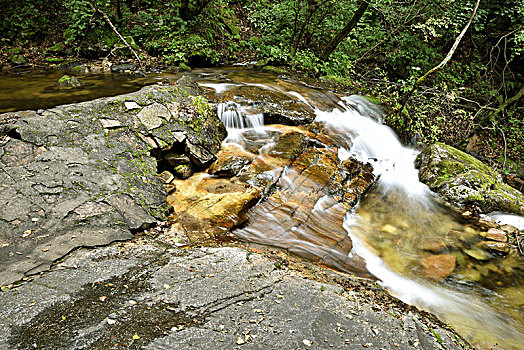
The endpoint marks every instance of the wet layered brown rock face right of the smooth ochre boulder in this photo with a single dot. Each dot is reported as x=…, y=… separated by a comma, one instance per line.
x=295, y=177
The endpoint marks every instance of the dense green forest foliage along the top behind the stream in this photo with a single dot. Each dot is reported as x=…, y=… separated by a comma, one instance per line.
x=392, y=45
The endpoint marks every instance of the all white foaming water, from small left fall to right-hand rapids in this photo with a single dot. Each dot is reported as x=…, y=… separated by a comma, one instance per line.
x=359, y=123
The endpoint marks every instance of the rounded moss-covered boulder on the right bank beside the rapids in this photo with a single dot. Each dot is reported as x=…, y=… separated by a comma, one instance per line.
x=464, y=180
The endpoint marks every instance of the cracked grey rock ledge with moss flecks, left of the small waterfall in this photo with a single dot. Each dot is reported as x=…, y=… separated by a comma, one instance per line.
x=84, y=175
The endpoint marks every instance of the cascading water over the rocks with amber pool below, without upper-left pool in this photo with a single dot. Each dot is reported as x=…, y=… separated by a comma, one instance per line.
x=399, y=223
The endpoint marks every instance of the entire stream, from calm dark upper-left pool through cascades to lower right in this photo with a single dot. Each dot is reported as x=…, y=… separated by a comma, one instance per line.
x=395, y=225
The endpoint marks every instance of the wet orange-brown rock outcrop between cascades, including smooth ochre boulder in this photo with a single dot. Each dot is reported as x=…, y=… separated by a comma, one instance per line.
x=289, y=172
